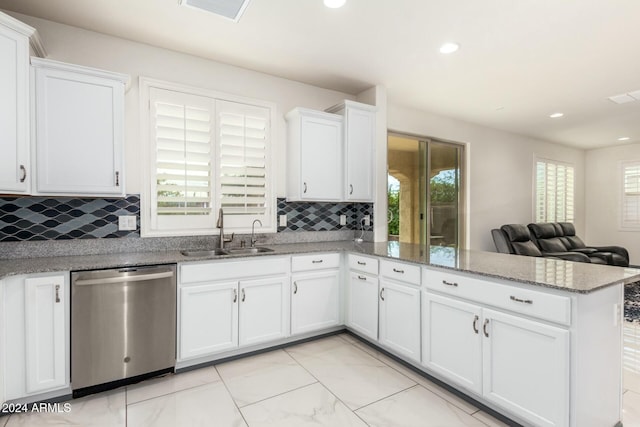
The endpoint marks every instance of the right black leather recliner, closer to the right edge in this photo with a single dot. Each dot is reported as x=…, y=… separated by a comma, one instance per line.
x=562, y=236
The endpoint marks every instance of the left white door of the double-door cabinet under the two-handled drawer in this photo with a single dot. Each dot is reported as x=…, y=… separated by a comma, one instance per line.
x=451, y=340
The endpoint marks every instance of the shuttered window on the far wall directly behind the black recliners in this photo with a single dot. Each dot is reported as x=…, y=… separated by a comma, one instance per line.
x=554, y=193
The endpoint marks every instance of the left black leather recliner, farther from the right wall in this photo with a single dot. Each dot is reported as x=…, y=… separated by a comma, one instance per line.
x=516, y=239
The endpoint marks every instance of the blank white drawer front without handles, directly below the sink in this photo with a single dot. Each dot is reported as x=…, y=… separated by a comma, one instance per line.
x=208, y=271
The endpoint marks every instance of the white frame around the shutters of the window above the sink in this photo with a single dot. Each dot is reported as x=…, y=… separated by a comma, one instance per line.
x=149, y=226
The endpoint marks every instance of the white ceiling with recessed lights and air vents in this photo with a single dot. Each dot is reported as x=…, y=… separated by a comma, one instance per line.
x=520, y=60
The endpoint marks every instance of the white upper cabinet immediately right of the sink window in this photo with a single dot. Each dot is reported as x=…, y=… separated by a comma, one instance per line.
x=314, y=156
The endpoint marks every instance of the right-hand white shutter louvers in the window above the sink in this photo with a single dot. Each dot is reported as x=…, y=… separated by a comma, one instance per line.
x=243, y=161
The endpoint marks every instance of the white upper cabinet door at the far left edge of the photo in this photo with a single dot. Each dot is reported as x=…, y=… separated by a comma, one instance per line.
x=14, y=111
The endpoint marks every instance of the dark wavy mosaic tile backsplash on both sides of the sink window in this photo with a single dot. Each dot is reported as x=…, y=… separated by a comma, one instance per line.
x=64, y=218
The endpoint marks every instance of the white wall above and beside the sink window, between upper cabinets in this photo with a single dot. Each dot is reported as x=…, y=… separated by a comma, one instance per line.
x=78, y=46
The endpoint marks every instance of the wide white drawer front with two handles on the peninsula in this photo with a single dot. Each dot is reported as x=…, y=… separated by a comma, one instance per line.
x=542, y=305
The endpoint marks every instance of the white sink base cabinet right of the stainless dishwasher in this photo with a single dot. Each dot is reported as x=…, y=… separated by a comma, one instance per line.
x=219, y=316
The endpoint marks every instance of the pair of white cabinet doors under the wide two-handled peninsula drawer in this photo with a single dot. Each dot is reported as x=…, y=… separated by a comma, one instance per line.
x=519, y=364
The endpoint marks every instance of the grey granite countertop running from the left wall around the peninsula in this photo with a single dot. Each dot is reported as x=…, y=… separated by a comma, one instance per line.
x=546, y=272
